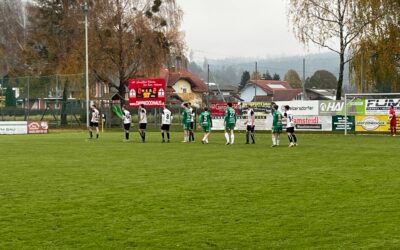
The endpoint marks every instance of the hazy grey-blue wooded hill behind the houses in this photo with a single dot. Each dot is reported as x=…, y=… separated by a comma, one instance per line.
x=235, y=66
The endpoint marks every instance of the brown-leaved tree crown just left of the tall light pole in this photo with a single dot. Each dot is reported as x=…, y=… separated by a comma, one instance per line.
x=56, y=44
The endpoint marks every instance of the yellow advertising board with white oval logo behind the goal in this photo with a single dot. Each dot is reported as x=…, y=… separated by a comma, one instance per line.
x=372, y=123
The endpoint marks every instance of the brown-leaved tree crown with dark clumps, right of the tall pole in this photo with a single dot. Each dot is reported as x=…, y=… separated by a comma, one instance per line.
x=133, y=38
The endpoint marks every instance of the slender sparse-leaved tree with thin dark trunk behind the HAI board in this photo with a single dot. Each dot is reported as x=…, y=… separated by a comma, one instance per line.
x=332, y=24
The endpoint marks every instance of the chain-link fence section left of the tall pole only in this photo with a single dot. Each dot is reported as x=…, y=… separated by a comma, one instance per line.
x=58, y=99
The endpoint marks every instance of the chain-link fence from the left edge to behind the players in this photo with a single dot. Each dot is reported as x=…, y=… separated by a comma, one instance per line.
x=60, y=100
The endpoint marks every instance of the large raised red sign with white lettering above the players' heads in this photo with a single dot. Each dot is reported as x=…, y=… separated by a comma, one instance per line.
x=150, y=92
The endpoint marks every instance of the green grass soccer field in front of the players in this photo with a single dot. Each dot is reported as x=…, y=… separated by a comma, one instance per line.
x=61, y=191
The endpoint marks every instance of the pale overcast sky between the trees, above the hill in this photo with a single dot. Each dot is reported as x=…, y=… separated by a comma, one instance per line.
x=239, y=28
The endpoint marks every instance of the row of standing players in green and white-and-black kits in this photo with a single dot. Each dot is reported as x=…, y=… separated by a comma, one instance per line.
x=205, y=122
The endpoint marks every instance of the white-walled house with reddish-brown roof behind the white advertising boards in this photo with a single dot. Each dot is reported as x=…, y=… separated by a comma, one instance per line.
x=269, y=91
